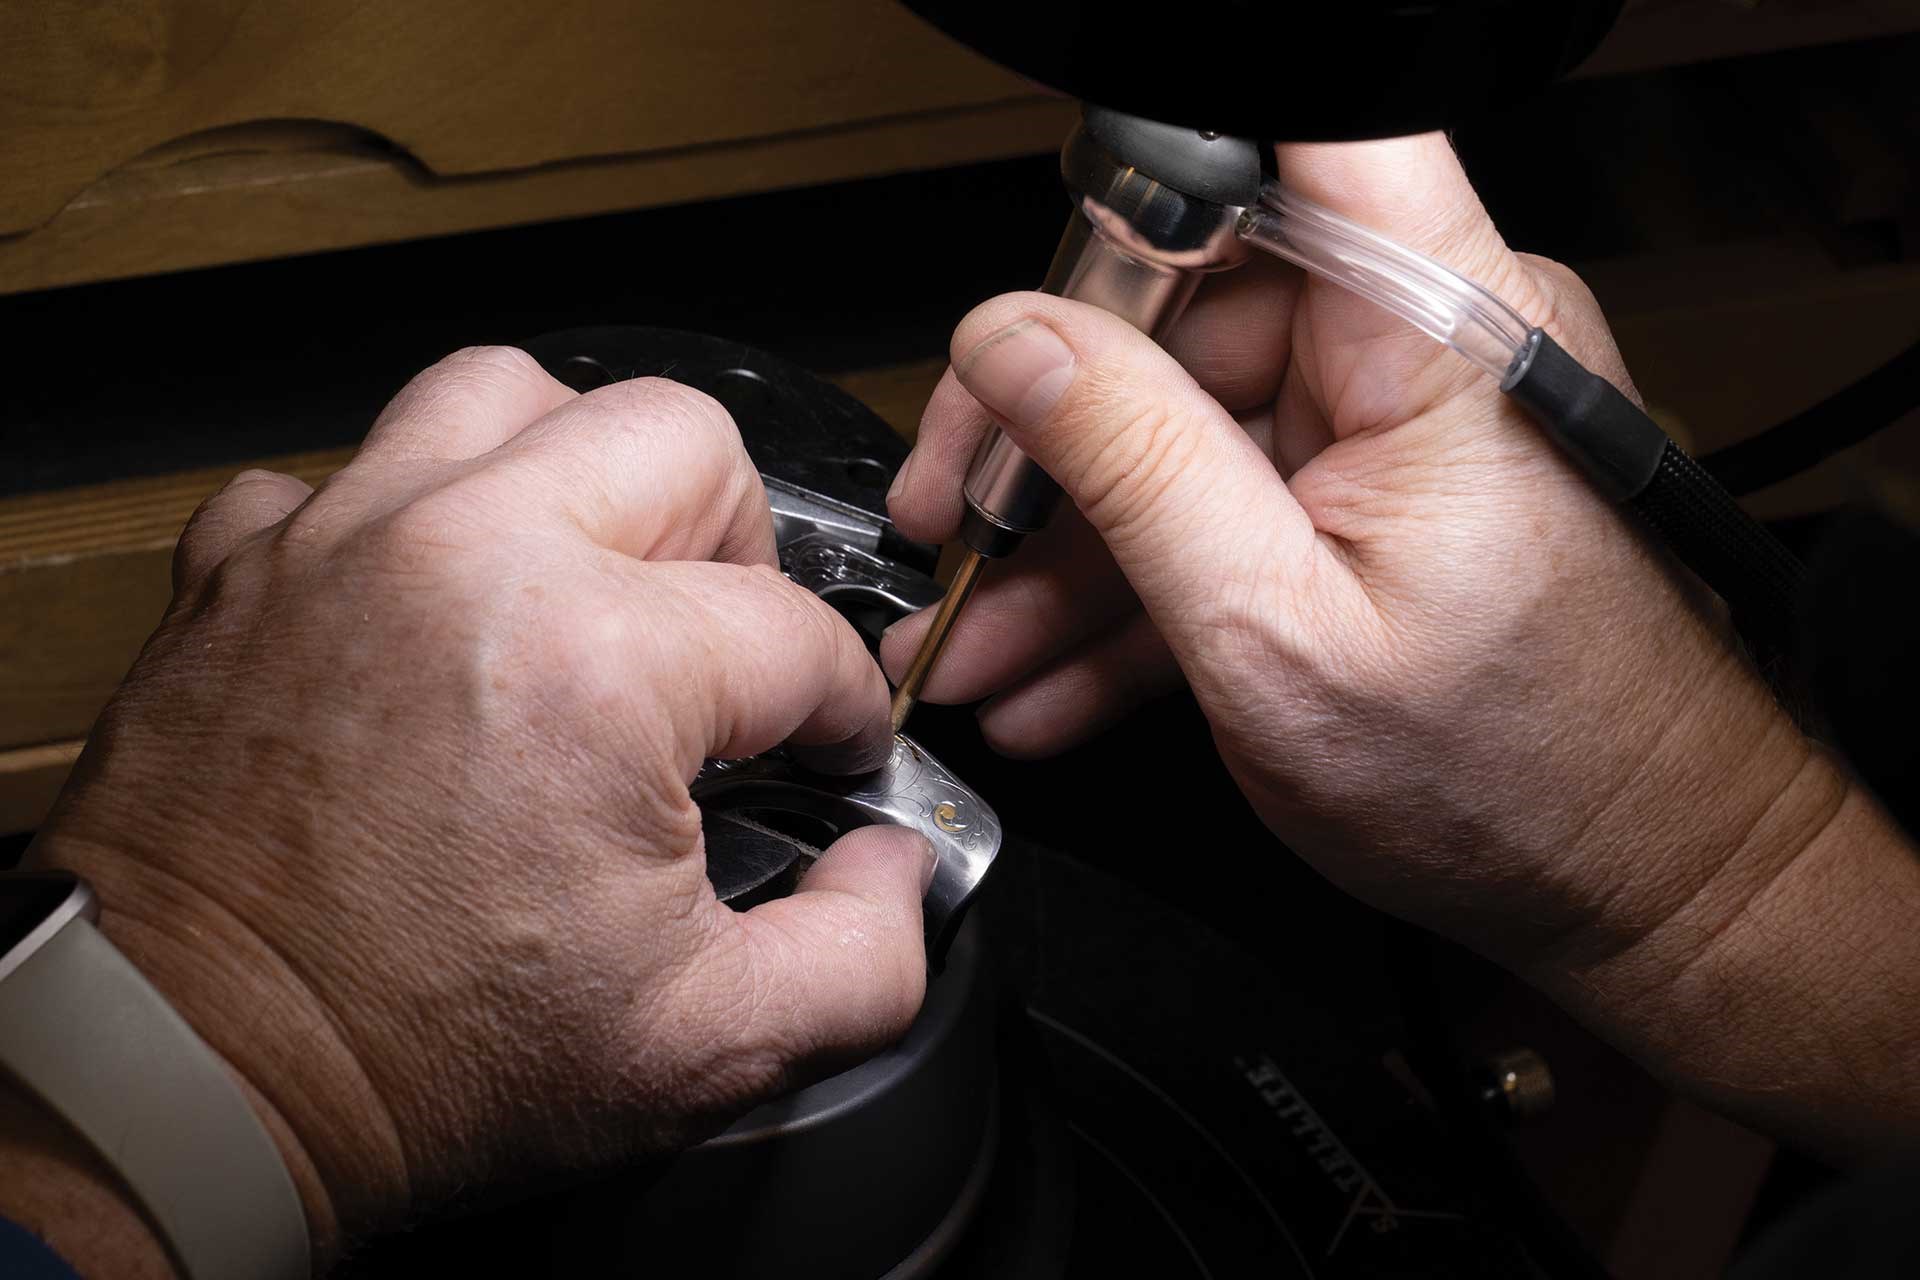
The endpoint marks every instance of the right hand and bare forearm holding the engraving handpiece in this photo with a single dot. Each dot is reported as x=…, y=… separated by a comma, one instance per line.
x=1437, y=663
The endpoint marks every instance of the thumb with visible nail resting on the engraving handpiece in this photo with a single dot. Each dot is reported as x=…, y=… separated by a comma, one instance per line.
x=1184, y=498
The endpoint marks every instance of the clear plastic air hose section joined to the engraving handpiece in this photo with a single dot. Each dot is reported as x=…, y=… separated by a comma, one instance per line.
x=1433, y=298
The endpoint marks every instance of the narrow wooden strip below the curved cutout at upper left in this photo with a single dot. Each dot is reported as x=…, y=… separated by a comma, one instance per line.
x=272, y=193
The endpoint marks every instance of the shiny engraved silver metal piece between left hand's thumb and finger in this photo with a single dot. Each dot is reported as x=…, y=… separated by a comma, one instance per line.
x=913, y=790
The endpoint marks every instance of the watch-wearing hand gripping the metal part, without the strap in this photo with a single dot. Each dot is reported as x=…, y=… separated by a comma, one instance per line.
x=395, y=805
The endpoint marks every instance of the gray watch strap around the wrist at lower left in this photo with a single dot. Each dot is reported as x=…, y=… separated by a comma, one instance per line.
x=85, y=1031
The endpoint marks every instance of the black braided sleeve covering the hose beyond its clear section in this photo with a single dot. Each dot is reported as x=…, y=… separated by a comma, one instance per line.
x=1633, y=462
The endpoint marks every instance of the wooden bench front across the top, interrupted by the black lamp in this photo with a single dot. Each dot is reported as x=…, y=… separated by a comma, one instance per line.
x=170, y=135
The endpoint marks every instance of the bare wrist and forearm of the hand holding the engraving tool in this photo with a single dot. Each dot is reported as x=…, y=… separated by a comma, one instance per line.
x=1783, y=989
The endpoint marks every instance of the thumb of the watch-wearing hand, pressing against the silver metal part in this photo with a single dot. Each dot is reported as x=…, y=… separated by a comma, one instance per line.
x=840, y=966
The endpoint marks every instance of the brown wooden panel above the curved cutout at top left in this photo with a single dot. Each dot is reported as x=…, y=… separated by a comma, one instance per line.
x=462, y=87
